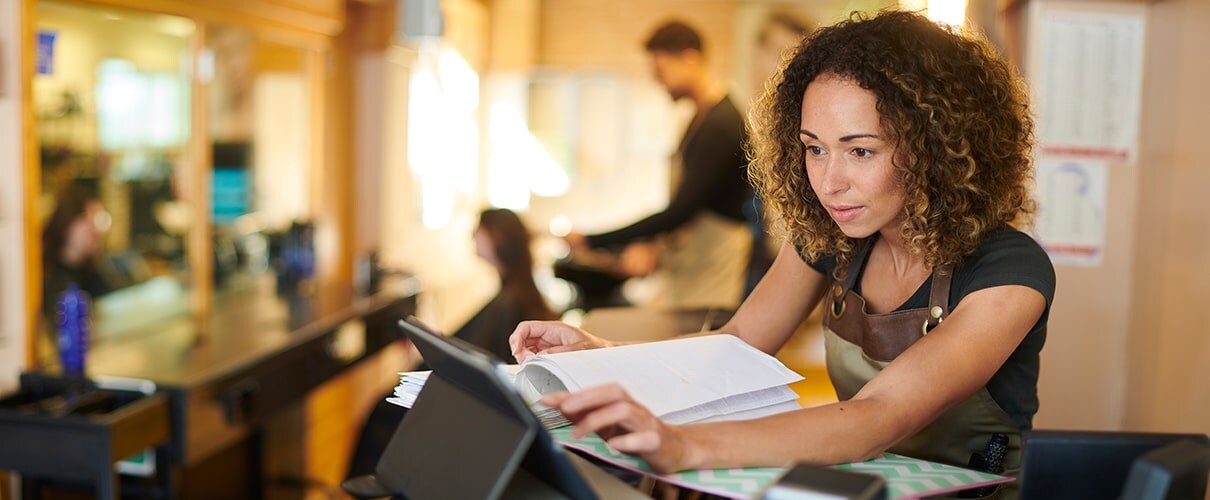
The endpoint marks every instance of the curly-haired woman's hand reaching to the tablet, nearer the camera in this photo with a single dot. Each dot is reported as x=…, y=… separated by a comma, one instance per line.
x=625, y=424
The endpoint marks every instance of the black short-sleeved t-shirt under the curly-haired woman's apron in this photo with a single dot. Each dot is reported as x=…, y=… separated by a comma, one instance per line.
x=1005, y=257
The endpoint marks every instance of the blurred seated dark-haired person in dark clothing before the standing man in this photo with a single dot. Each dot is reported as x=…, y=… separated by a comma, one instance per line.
x=503, y=240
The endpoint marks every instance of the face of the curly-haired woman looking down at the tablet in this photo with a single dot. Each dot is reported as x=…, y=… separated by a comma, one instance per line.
x=849, y=158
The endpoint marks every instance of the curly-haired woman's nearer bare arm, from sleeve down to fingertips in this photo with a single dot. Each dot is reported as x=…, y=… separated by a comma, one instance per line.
x=953, y=363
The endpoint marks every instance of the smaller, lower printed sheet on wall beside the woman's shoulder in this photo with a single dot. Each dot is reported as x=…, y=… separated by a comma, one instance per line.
x=1073, y=197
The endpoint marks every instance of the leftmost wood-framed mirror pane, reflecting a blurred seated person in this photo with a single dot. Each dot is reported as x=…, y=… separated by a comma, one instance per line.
x=113, y=102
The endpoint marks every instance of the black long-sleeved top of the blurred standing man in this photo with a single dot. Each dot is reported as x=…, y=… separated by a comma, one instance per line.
x=715, y=179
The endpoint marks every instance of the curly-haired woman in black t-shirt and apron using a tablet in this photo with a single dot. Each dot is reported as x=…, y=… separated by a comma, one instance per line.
x=896, y=156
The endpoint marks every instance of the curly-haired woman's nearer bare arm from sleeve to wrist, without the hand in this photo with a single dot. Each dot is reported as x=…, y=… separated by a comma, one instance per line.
x=949, y=365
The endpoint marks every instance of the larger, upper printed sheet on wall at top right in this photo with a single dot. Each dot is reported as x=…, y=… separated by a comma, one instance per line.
x=1086, y=74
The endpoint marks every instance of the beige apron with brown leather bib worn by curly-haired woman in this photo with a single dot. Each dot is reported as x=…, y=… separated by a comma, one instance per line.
x=861, y=344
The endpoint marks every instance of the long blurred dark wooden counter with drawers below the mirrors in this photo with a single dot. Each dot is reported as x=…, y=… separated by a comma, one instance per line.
x=258, y=355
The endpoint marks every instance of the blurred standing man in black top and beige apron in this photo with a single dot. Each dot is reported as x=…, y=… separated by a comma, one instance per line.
x=695, y=251
